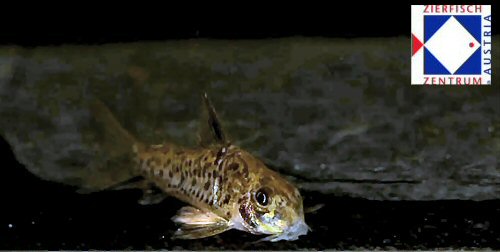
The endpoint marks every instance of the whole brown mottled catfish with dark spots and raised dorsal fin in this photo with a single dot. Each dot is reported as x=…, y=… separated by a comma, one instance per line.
x=225, y=186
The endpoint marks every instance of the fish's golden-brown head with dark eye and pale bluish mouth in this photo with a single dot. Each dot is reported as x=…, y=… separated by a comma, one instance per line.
x=271, y=205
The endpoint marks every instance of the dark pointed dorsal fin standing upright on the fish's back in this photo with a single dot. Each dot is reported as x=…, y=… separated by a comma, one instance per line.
x=210, y=131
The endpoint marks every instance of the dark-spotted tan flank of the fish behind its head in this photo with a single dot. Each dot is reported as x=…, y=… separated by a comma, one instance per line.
x=200, y=177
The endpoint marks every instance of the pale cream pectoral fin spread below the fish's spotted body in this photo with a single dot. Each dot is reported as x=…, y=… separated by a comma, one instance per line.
x=197, y=224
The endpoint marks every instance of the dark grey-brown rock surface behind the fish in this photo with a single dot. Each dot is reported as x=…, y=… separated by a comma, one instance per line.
x=339, y=116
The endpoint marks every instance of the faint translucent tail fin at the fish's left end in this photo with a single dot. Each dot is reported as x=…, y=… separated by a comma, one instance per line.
x=115, y=151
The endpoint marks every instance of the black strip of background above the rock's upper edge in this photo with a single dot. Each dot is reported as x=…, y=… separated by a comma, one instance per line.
x=90, y=24
